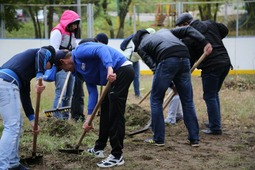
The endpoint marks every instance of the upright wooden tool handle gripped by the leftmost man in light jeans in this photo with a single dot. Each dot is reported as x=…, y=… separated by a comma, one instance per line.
x=37, y=108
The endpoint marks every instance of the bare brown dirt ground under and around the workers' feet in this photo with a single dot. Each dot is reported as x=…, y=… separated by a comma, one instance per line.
x=234, y=150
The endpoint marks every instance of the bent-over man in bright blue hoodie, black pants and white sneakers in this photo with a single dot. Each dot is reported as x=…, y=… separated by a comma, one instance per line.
x=98, y=63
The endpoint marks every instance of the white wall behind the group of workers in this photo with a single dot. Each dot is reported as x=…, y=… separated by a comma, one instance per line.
x=241, y=50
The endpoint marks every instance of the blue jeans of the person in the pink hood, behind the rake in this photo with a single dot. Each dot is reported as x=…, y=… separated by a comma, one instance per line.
x=59, y=83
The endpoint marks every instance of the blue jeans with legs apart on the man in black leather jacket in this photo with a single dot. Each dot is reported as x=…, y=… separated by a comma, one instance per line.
x=176, y=70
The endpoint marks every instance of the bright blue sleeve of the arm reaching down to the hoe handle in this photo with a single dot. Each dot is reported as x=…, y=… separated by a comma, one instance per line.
x=93, y=97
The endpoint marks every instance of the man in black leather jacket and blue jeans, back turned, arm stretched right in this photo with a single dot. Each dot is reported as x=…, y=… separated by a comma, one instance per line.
x=165, y=54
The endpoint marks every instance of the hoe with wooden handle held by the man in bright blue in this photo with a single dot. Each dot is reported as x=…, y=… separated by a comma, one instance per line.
x=76, y=149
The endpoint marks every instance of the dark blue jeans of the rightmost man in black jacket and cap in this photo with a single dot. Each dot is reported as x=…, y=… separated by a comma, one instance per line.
x=212, y=82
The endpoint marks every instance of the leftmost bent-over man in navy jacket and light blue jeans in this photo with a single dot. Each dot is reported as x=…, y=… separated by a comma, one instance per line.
x=15, y=77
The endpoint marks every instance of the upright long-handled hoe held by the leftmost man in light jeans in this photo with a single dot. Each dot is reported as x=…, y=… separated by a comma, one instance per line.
x=36, y=157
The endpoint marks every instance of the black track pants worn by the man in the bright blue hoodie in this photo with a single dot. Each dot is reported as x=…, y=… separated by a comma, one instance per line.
x=112, y=120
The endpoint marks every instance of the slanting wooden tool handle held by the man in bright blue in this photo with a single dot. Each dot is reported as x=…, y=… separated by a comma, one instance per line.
x=105, y=91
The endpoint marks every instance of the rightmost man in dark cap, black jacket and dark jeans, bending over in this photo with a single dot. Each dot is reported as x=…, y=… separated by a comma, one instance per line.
x=215, y=67
